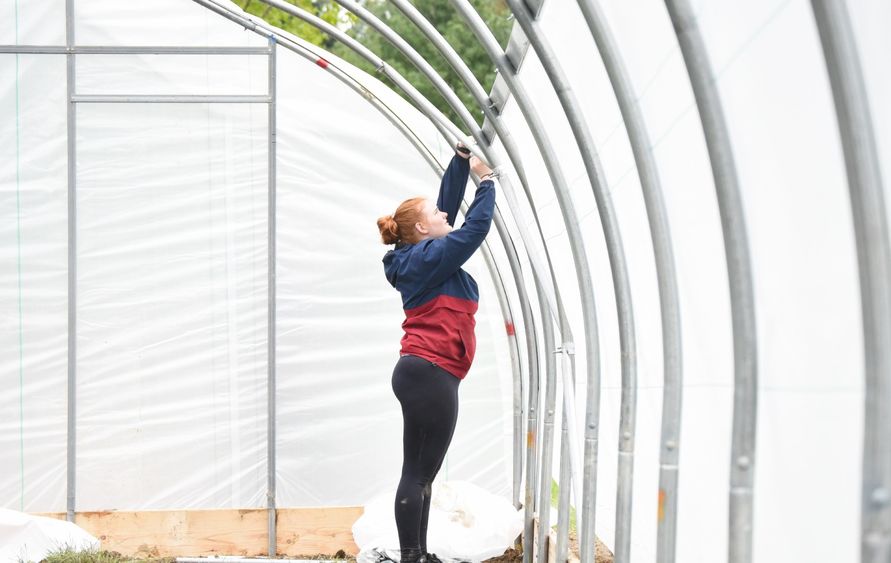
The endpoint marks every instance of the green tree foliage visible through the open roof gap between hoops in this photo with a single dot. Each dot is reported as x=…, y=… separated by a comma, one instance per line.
x=439, y=12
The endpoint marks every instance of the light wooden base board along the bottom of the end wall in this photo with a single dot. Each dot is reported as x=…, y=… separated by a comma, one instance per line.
x=189, y=533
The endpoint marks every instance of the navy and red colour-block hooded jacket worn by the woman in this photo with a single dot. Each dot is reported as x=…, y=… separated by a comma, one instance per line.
x=439, y=297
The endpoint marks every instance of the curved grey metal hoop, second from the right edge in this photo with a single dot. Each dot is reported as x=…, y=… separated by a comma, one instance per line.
x=739, y=271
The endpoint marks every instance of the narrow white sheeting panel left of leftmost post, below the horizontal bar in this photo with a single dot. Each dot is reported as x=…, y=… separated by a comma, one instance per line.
x=34, y=282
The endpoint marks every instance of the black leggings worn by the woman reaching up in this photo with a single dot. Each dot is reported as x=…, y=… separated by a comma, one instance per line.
x=429, y=398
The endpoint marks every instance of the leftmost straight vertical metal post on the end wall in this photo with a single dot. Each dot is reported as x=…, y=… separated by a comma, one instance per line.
x=71, y=466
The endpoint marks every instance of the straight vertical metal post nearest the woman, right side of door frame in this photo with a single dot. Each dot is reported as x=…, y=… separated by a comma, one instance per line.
x=271, y=332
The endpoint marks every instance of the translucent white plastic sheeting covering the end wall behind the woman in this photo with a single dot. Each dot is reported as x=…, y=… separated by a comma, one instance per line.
x=172, y=279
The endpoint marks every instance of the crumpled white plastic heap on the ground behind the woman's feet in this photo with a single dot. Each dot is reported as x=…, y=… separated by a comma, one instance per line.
x=466, y=523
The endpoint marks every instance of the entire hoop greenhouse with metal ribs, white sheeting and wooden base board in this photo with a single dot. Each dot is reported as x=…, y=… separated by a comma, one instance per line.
x=685, y=302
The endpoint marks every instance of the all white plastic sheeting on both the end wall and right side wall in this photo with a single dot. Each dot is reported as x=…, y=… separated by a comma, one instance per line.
x=172, y=272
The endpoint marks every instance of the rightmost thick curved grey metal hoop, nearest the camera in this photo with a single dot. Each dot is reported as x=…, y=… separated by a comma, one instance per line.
x=874, y=264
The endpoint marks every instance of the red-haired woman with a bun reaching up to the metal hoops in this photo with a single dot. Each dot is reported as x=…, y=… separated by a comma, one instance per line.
x=440, y=300
